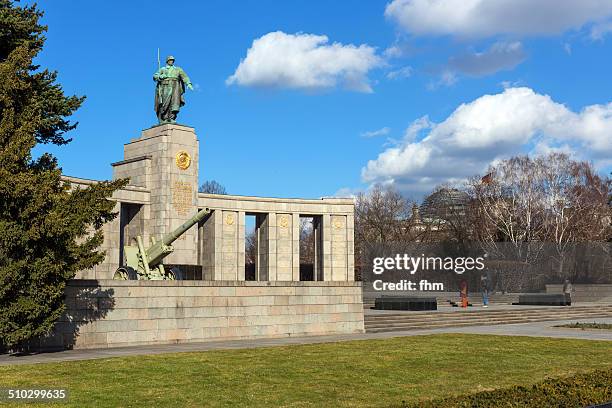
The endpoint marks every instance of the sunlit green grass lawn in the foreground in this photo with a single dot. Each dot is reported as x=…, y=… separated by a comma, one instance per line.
x=369, y=373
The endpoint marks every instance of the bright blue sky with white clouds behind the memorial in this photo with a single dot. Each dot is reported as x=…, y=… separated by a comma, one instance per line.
x=396, y=92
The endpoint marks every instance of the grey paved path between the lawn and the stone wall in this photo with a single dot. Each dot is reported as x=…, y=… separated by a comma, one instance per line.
x=536, y=329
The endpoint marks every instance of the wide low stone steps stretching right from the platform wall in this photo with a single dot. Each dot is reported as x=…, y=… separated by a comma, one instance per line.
x=430, y=320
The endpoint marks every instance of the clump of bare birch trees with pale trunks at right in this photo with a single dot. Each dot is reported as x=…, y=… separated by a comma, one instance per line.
x=526, y=205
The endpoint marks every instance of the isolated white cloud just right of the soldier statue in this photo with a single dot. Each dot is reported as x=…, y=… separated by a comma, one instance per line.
x=305, y=61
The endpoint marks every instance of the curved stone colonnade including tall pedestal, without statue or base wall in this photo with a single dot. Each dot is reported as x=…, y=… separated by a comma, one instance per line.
x=162, y=165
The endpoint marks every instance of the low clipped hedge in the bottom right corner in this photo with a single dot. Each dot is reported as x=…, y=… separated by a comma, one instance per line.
x=580, y=390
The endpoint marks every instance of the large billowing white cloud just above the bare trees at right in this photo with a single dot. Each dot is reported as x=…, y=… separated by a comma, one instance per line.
x=492, y=127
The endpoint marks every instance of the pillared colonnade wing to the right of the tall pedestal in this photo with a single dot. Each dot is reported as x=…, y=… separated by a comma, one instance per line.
x=278, y=236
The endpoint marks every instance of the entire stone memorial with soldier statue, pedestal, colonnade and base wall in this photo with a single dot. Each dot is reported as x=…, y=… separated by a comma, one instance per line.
x=216, y=301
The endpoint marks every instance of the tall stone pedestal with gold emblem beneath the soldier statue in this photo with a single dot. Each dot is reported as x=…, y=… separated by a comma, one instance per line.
x=164, y=161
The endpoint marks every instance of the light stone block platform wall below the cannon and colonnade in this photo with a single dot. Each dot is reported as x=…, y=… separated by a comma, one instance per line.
x=108, y=313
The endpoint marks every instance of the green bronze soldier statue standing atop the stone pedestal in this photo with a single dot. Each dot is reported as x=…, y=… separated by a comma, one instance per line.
x=171, y=82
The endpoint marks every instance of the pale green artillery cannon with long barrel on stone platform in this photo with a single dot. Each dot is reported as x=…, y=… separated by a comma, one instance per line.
x=146, y=264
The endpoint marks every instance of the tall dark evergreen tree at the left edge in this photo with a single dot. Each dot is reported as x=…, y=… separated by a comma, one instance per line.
x=49, y=230
